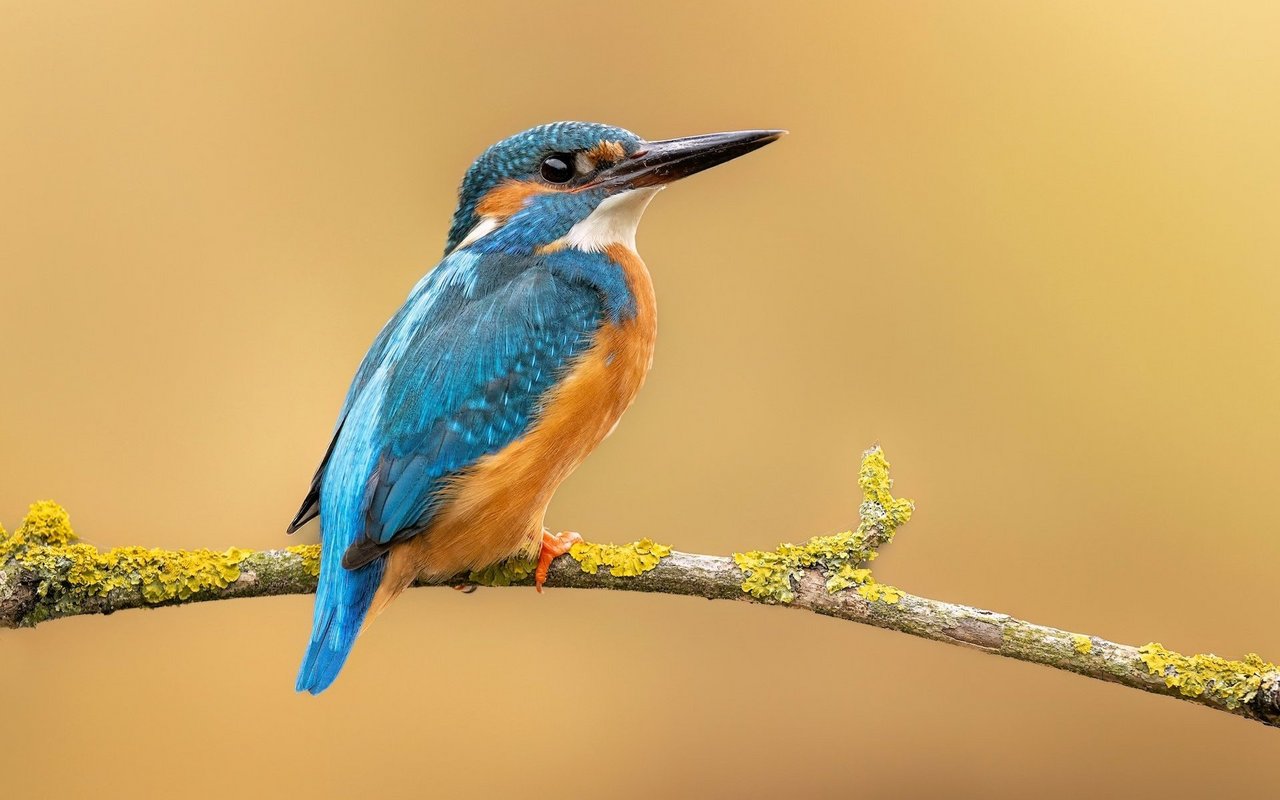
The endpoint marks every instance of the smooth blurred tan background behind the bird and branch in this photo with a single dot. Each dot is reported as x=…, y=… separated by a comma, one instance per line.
x=1031, y=249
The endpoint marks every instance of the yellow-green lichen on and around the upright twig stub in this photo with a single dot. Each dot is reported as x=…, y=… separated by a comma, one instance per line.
x=772, y=575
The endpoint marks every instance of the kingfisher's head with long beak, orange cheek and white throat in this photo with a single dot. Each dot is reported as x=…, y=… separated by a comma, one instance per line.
x=579, y=185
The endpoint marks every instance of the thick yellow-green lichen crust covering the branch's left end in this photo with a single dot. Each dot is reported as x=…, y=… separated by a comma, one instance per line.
x=71, y=570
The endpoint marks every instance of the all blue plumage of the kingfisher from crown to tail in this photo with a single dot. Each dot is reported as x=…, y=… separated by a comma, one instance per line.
x=458, y=374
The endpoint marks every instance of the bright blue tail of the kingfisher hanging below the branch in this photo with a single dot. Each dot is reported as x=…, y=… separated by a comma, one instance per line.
x=342, y=602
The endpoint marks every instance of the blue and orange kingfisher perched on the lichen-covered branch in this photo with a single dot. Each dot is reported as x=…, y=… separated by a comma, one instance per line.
x=508, y=365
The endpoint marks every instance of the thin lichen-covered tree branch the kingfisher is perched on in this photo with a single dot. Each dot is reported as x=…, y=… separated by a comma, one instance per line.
x=45, y=574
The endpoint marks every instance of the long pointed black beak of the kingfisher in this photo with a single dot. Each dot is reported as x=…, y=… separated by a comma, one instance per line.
x=660, y=163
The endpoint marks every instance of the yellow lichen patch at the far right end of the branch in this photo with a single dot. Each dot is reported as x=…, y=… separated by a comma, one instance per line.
x=1204, y=674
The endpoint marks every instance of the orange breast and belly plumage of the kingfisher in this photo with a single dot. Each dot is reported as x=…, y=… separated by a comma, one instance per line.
x=496, y=509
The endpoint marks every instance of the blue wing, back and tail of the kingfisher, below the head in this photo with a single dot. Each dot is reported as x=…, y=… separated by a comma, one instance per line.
x=458, y=374
